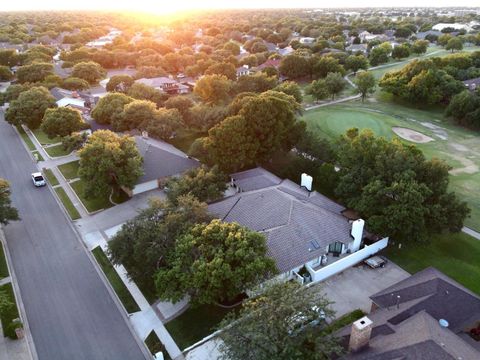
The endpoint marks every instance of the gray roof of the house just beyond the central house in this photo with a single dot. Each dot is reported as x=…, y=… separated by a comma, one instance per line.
x=159, y=162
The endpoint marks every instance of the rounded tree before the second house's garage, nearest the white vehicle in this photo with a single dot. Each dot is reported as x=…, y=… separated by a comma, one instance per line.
x=109, y=160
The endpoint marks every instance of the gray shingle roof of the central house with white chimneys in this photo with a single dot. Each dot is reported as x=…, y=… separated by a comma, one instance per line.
x=290, y=217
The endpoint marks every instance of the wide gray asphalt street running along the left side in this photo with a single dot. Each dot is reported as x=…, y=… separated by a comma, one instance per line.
x=69, y=309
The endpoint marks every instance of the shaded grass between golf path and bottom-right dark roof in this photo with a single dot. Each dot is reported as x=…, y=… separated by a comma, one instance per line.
x=457, y=255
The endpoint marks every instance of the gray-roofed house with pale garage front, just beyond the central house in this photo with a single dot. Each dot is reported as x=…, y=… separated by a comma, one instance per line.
x=160, y=161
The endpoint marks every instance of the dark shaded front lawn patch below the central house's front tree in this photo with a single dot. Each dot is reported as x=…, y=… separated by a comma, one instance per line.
x=195, y=324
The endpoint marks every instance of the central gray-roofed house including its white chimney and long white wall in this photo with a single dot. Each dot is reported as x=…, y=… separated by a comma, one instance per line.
x=302, y=228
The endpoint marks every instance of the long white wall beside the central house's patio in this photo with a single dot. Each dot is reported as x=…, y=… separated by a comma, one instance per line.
x=346, y=262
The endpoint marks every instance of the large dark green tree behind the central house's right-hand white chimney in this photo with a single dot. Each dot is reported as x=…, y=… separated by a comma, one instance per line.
x=398, y=191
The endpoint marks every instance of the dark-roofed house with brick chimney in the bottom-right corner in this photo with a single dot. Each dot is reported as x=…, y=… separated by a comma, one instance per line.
x=427, y=316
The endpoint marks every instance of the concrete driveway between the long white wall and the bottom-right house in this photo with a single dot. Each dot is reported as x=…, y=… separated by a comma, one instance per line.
x=352, y=288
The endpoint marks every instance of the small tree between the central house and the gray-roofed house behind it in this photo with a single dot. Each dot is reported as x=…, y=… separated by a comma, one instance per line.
x=203, y=183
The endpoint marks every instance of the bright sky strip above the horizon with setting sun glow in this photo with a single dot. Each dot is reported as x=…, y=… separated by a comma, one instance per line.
x=164, y=6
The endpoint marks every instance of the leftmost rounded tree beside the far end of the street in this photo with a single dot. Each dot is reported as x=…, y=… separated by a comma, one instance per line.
x=30, y=107
